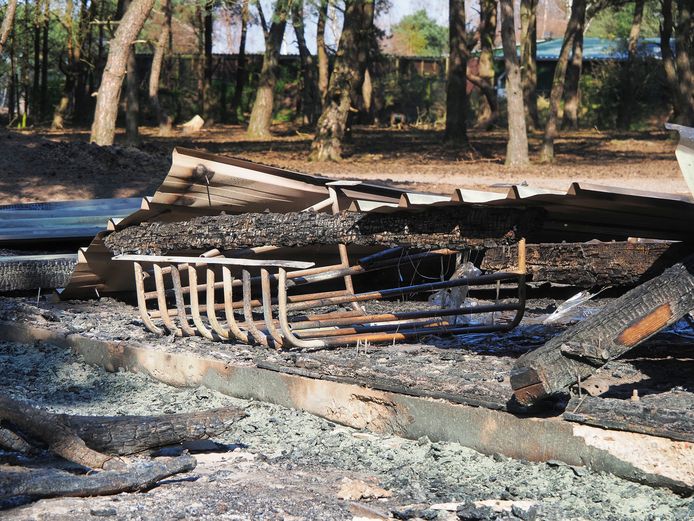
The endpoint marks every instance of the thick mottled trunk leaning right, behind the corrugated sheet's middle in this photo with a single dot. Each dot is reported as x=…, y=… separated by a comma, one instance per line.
x=345, y=82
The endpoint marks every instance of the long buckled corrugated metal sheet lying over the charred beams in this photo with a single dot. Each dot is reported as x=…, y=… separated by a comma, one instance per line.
x=200, y=183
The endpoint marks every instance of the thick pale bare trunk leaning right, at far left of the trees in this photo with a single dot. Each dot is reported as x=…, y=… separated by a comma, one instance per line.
x=104, y=126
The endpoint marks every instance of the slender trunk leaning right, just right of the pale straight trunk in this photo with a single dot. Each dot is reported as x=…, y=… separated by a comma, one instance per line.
x=574, y=27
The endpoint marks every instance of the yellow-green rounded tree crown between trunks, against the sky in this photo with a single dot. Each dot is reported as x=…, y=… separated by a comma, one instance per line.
x=418, y=35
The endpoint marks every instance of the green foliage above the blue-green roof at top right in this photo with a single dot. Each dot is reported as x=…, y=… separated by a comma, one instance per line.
x=615, y=22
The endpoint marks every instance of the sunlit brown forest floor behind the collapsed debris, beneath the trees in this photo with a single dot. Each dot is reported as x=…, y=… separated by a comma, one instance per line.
x=44, y=165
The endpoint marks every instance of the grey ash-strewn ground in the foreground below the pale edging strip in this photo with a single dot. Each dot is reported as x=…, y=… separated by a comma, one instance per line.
x=279, y=463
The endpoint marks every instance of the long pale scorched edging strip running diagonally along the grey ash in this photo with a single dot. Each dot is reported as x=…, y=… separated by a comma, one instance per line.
x=668, y=463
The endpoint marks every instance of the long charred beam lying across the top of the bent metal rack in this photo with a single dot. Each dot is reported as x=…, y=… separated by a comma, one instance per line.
x=453, y=227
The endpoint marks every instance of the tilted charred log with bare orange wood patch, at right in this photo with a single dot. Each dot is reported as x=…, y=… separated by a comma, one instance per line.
x=623, y=324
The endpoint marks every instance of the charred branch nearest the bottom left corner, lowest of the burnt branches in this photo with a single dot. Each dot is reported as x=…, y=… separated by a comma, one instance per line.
x=139, y=475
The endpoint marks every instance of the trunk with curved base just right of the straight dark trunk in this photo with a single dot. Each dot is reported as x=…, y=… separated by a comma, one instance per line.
x=490, y=109
